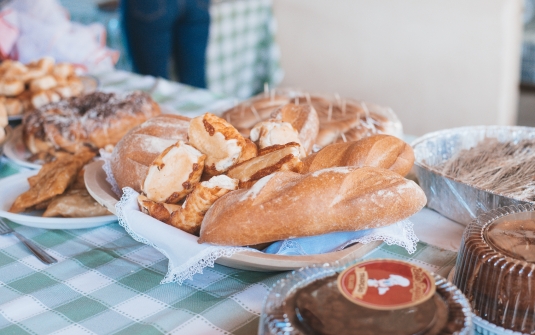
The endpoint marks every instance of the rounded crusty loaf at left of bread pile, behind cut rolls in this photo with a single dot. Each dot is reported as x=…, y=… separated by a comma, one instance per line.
x=135, y=152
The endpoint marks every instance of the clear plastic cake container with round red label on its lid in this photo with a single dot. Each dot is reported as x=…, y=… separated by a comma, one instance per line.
x=316, y=300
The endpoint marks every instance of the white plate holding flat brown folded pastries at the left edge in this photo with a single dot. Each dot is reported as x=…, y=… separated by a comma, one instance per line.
x=12, y=187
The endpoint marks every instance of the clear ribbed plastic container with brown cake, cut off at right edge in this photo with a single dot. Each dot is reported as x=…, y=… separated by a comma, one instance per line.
x=495, y=267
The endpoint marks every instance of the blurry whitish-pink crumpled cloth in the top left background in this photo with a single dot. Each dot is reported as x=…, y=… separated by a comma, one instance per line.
x=34, y=29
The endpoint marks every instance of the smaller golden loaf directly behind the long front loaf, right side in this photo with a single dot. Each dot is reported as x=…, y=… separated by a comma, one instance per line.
x=384, y=151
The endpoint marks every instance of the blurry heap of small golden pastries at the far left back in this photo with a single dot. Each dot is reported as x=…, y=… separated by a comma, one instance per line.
x=25, y=87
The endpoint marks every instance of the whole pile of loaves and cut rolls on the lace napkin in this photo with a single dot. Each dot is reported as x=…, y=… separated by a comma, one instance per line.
x=234, y=190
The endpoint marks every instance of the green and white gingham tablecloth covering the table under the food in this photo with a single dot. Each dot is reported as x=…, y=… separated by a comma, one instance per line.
x=107, y=283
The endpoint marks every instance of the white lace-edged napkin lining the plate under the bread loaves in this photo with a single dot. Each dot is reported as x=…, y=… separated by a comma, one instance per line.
x=187, y=257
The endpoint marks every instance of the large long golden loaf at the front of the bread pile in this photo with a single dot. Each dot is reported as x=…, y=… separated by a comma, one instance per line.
x=286, y=205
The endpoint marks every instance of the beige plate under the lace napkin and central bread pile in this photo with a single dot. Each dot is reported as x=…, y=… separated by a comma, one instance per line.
x=100, y=190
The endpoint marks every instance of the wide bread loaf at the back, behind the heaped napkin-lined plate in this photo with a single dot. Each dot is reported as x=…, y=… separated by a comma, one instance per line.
x=340, y=119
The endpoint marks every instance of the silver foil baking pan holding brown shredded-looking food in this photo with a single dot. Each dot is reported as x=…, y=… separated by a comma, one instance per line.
x=450, y=197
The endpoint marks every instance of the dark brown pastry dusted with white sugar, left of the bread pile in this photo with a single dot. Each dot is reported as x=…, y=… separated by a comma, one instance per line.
x=95, y=120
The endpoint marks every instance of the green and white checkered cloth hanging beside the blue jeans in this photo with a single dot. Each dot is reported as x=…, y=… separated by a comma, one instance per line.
x=242, y=54
